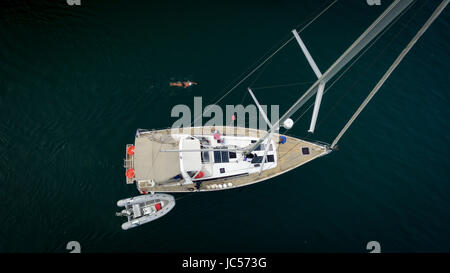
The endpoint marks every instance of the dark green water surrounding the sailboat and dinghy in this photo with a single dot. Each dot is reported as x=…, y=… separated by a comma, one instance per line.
x=76, y=82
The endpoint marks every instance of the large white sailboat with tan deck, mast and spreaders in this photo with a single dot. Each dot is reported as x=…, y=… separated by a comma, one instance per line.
x=211, y=158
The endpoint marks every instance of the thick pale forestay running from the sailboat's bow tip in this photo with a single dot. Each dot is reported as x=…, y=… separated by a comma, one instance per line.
x=394, y=65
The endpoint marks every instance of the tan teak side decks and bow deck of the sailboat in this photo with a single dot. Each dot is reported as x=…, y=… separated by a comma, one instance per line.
x=292, y=154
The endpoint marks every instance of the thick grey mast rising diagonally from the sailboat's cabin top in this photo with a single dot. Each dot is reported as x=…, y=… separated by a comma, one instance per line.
x=371, y=32
